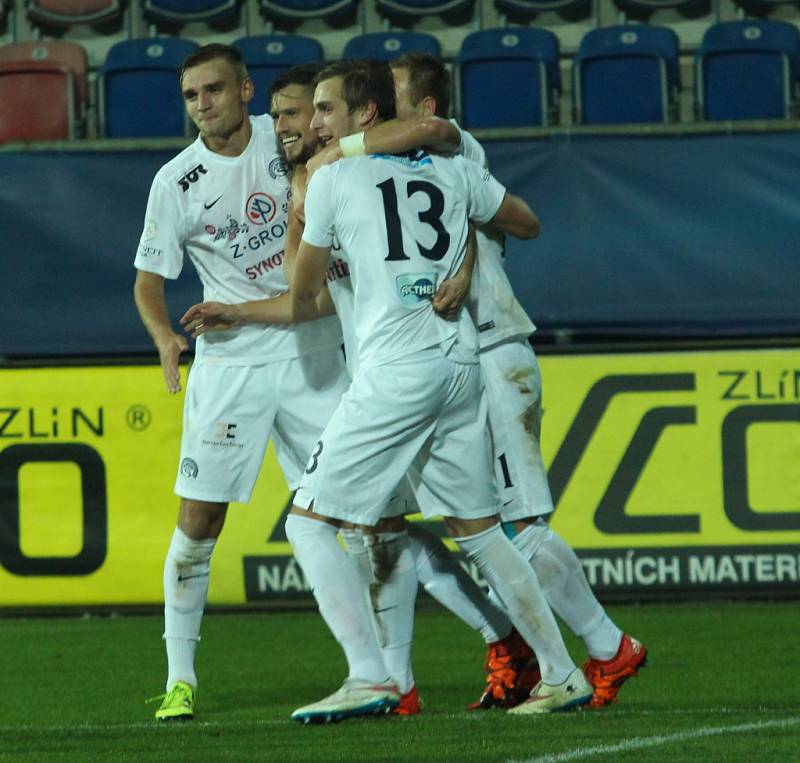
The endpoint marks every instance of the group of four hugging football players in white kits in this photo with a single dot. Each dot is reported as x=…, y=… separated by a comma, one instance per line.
x=357, y=215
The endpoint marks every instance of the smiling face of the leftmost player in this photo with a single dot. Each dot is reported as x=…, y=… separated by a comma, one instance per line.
x=215, y=100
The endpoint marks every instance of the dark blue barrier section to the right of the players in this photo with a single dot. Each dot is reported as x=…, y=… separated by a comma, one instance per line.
x=692, y=236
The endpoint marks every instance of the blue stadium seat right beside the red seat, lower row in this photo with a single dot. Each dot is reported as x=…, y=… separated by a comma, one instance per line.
x=138, y=91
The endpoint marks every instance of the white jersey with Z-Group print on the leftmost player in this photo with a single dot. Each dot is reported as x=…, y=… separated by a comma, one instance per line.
x=229, y=214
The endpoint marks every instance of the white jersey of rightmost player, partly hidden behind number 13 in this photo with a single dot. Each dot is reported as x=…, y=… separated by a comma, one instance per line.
x=491, y=299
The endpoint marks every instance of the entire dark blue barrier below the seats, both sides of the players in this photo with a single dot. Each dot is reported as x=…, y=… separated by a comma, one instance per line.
x=690, y=236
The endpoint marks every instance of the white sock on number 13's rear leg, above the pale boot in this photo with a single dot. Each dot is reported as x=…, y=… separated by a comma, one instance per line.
x=513, y=579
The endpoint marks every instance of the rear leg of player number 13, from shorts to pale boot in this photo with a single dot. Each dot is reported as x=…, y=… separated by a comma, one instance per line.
x=457, y=461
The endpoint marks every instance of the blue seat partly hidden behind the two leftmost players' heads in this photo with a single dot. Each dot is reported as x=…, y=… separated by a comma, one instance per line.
x=269, y=55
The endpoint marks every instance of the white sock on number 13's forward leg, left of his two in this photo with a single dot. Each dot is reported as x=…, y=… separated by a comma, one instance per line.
x=339, y=594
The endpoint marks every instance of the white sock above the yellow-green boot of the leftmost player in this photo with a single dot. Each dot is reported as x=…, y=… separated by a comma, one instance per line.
x=186, y=570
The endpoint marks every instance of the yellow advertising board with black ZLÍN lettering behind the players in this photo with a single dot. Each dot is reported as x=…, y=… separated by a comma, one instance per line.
x=669, y=472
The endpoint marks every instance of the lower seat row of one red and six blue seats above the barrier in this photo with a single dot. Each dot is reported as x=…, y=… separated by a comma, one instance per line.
x=507, y=77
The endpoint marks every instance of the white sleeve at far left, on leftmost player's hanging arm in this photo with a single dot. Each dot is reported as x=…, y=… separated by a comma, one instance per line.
x=161, y=244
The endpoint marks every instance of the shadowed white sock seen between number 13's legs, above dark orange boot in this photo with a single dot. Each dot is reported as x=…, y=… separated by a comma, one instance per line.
x=446, y=580
